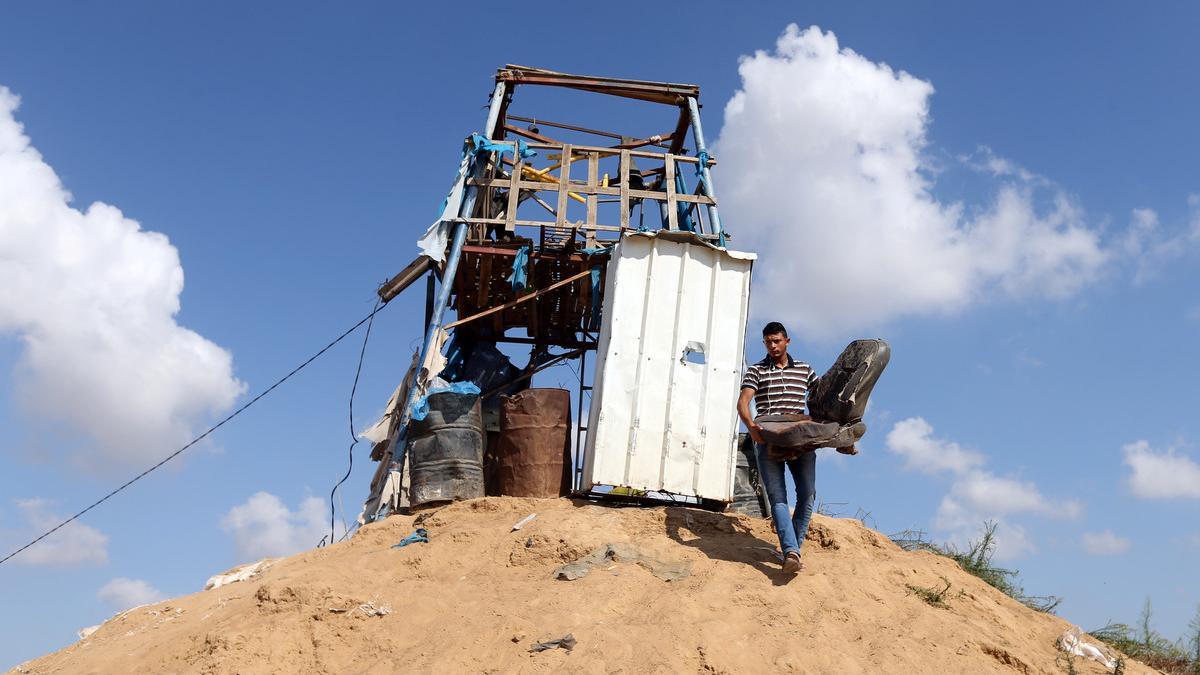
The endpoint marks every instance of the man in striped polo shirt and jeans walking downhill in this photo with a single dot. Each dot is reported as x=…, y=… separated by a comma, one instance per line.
x=779, y=385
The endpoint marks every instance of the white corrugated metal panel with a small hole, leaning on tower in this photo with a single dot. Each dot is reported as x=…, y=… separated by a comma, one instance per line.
x=664, y=405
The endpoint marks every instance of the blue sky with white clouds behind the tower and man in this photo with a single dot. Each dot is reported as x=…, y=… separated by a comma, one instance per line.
x=1021, y=177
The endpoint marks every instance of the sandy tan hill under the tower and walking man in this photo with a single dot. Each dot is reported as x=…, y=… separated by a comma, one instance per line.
x=683, y=592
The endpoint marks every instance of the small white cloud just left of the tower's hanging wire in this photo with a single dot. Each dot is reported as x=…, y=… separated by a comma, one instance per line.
x=263, y=527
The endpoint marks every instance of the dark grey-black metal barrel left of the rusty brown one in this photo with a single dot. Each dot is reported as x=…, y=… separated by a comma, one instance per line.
x=447, y=451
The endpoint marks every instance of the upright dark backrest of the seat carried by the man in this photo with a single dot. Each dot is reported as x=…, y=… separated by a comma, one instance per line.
x=841, y=395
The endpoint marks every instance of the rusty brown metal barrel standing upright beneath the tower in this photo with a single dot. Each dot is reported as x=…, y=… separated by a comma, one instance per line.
x=533, y=458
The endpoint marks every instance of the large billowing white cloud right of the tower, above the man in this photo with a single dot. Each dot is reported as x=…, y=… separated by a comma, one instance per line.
x=823, y=174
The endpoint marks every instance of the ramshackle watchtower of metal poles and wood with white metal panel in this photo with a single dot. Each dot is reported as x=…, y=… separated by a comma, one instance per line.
x=538, y=244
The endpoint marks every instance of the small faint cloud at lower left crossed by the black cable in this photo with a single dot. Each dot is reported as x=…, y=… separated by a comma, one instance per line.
x=75, y=545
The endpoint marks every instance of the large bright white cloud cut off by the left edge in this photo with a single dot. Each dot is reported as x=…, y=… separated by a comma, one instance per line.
x=93, y=298
